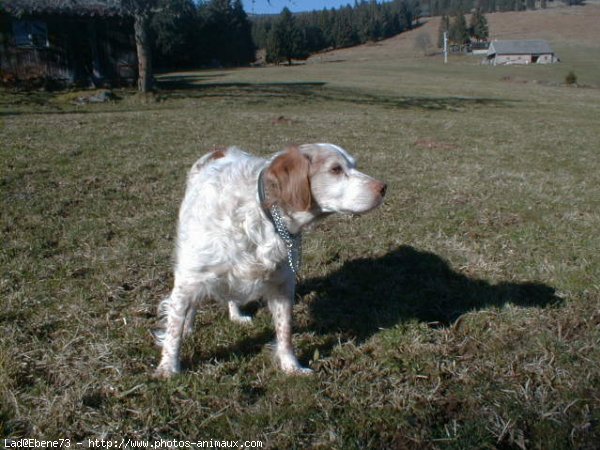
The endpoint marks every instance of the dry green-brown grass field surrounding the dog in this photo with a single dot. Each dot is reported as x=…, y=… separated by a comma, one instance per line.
x=465, y=313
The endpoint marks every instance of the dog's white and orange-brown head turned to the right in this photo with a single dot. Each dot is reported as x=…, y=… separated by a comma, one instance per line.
x=322, y=179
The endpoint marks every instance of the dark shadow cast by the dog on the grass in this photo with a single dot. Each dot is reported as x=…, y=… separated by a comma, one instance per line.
x=368, y=294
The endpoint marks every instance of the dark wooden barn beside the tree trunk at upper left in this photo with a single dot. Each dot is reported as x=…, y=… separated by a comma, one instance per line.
x=83, y=42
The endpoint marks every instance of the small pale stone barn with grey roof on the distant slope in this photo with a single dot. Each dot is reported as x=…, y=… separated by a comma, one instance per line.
x=520, y=52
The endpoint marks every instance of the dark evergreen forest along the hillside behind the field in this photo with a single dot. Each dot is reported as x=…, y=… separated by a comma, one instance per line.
x=188, y=33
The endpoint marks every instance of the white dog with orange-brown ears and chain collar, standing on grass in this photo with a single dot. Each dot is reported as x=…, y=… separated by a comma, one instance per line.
x=238, y=237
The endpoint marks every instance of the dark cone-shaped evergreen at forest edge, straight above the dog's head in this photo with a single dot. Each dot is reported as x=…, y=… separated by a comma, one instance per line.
x=285, y=40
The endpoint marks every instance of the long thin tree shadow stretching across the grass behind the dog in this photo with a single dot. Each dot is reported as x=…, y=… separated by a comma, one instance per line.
x=202, y=86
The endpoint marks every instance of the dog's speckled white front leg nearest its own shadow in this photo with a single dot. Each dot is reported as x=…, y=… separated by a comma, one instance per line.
x=280, y=305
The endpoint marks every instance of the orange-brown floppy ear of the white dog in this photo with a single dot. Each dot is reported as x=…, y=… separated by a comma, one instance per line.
x=288, y=181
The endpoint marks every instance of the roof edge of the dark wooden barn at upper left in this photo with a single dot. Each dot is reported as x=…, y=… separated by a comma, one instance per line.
x=65, y=7
